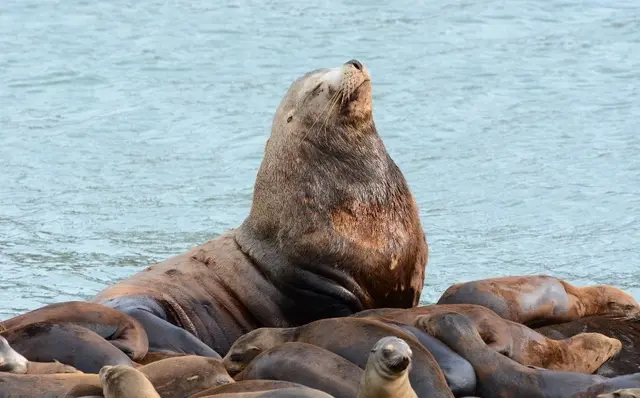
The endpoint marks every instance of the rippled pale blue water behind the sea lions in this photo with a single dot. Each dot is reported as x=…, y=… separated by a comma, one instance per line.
x=131, y=131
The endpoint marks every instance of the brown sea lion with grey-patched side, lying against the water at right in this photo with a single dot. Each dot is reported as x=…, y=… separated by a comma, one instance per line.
x=538, y=300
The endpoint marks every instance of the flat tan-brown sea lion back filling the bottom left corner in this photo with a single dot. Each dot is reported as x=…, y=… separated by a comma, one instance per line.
x=49, y=385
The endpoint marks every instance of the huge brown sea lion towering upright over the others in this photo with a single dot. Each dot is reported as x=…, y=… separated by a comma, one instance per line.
x=333, y=229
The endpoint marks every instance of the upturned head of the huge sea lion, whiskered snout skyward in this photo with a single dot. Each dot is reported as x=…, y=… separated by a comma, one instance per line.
x=328, y=97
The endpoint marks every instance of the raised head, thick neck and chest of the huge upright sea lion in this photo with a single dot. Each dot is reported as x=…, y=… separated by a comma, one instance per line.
x=333, y=223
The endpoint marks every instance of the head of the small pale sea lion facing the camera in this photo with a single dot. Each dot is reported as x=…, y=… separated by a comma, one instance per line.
x=390, y=357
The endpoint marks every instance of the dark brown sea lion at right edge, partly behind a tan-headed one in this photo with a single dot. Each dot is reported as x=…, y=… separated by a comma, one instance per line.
x=627, y=330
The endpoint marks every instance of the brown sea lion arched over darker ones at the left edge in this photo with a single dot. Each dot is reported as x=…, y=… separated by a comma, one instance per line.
x=121, y=330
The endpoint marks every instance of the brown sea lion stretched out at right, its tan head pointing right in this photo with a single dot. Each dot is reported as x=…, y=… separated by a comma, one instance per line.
x=583, y=352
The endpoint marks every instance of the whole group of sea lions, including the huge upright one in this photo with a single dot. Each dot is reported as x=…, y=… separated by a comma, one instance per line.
x=316, y=295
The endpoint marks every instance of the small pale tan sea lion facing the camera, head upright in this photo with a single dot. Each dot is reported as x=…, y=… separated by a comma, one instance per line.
x=387, y=372
